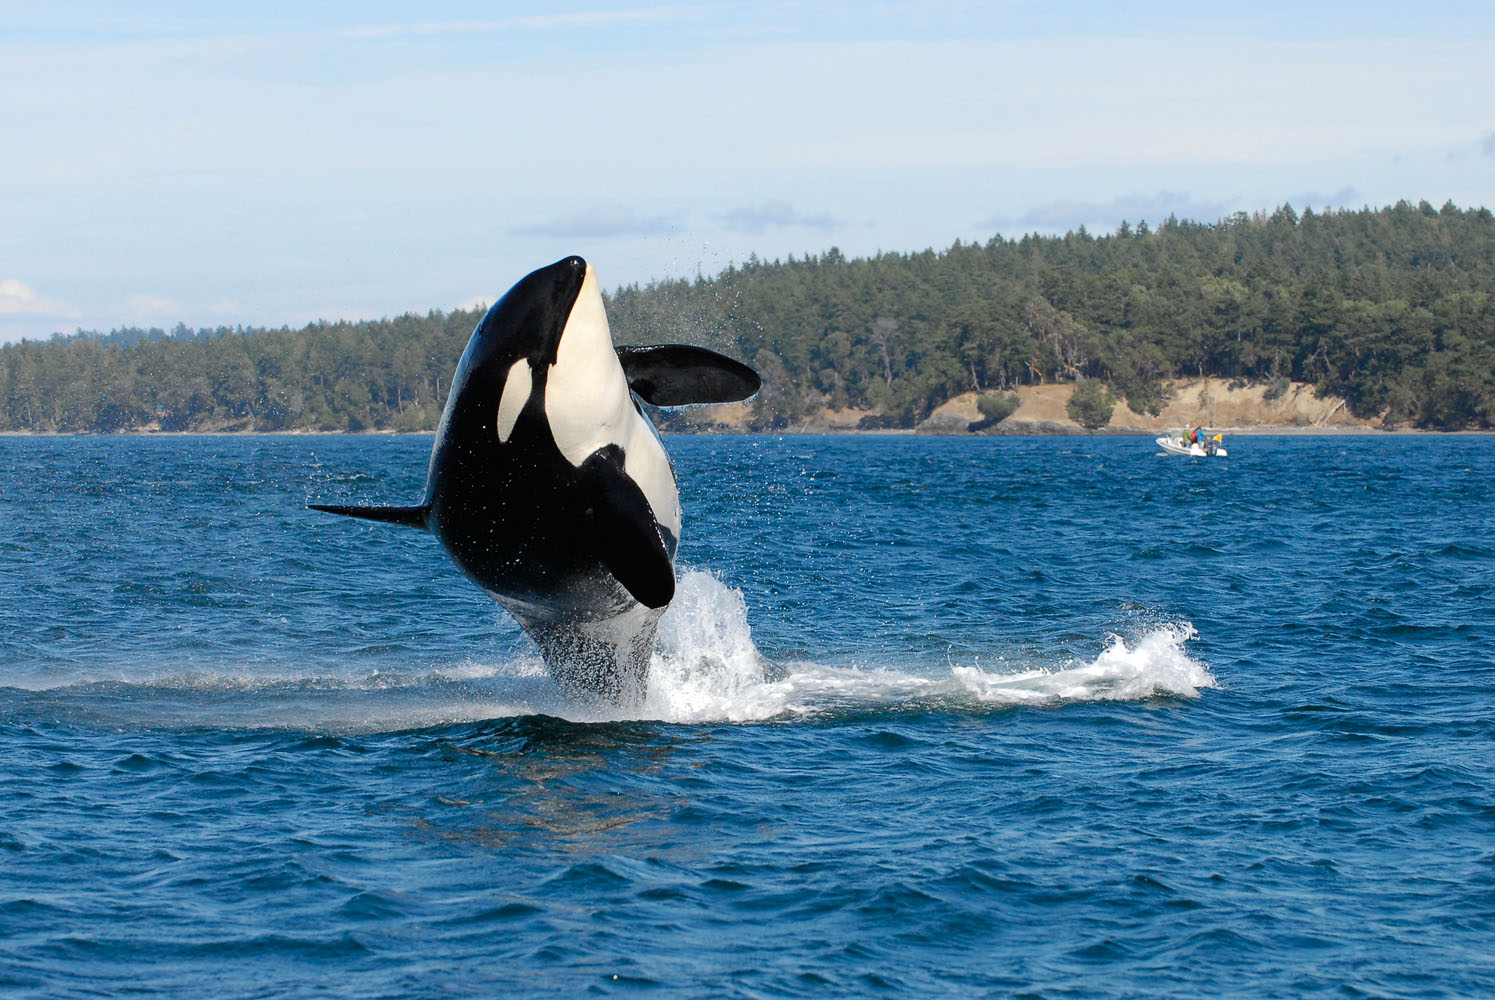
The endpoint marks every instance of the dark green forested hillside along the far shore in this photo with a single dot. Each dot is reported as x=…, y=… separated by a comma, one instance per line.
x=1391, y=309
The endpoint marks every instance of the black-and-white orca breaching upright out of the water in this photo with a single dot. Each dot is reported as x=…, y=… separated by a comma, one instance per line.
x=549, y=487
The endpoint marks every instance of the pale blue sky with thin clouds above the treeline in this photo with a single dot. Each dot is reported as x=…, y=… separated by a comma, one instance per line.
x=171, y=164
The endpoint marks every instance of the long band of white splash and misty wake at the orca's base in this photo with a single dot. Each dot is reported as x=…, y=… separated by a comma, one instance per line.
x=705, y=670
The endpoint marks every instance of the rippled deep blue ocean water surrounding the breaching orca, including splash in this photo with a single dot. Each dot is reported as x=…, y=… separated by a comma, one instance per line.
x=940, y=718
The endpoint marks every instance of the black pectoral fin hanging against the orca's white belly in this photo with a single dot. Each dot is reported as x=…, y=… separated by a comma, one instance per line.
x=629, y=539
